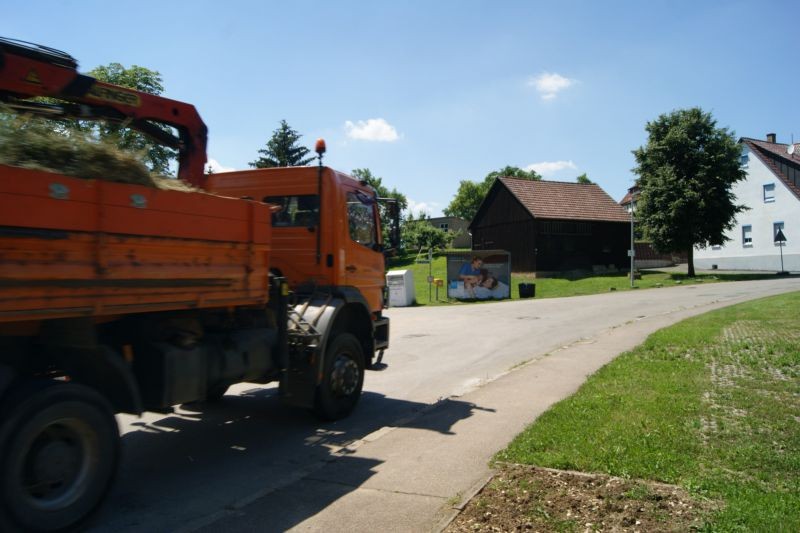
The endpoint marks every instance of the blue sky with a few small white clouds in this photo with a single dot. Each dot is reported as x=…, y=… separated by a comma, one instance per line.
x=427, y=93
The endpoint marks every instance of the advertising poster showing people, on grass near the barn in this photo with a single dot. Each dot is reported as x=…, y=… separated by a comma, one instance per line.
x=479, y=275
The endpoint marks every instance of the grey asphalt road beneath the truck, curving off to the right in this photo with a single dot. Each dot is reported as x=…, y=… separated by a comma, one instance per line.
x=195, y=468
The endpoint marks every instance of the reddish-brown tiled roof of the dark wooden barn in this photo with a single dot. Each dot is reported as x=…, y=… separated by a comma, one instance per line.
x=566, y=201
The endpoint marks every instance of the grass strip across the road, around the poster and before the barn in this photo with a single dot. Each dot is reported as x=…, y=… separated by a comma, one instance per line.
x=554, y=287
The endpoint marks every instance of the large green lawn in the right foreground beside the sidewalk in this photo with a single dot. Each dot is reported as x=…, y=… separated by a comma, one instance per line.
x=711, y=404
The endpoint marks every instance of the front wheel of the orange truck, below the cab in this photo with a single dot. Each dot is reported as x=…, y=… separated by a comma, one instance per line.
x=342, y=378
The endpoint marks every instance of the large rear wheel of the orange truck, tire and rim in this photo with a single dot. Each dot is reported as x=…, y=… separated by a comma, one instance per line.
x=59, y=451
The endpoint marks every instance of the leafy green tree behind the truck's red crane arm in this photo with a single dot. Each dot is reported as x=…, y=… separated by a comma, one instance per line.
x=156, y=156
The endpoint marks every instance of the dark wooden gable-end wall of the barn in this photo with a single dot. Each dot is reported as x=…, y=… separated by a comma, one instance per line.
x=504, y=224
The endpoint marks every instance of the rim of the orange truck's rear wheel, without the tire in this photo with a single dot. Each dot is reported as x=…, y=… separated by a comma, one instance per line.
x=57, y=465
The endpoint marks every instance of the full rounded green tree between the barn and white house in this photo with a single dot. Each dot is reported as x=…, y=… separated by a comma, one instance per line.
x=686, y=172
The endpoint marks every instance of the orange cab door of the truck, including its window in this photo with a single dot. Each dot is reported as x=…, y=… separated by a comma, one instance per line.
x=363, y=256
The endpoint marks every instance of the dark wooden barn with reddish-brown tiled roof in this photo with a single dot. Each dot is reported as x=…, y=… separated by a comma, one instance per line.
x=551, y=227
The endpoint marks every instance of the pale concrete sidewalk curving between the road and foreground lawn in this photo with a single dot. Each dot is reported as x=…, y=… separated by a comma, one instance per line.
x=417, y=474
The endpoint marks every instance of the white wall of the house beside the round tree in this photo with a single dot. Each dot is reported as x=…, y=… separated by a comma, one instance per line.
x=764, y=254
